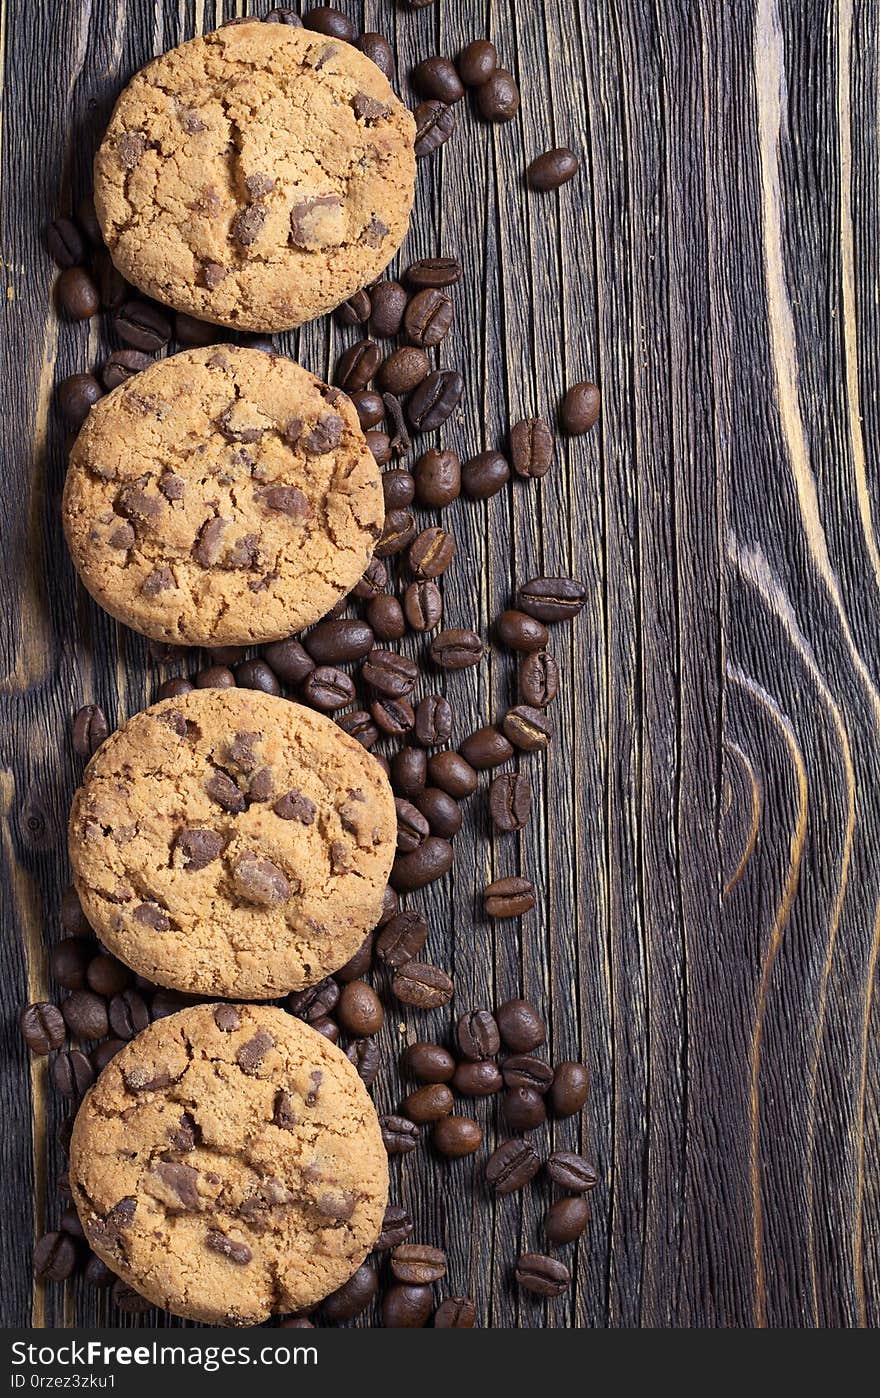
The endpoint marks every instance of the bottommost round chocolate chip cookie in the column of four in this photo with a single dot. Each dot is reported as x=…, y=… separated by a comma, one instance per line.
x=229, y=1165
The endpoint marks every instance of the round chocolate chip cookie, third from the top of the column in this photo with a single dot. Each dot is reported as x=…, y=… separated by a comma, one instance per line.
x=233, y=844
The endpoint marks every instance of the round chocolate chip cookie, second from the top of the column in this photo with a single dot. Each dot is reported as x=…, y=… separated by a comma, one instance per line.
x=225, y=497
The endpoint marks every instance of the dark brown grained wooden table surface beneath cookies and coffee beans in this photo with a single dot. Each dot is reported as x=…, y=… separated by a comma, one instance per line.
x=706, y=831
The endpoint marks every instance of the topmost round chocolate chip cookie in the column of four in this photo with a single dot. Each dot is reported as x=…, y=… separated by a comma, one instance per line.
x=257, y=177
